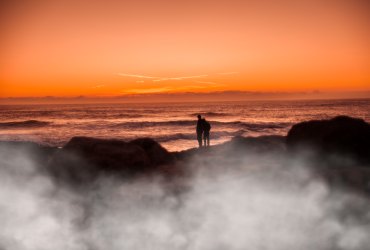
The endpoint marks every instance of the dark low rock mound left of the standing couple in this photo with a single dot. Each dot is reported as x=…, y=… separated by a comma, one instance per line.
x=83, y=159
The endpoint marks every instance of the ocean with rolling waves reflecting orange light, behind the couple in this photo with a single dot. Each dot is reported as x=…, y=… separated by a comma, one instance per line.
x=171, y=124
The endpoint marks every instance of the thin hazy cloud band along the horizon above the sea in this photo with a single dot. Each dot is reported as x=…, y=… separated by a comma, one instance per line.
x=191, y=97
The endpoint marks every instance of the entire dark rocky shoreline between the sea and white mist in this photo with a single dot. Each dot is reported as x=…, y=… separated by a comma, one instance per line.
x=342, y=157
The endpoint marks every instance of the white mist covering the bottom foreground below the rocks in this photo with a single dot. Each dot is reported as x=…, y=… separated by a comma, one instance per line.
x=250, y=201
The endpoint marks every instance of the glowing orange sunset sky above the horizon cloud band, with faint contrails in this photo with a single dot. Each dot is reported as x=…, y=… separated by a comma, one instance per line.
x=112, y=48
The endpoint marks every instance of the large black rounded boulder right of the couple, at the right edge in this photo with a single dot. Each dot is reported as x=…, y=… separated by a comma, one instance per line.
x=343, y=135
